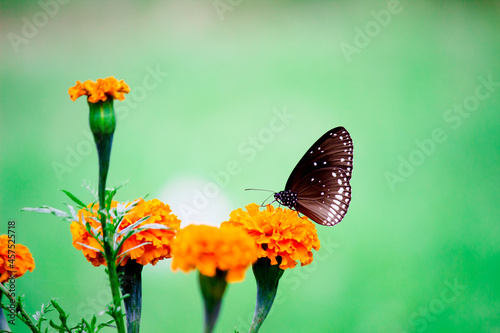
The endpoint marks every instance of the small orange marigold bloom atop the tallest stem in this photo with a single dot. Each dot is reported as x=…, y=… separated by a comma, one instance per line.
x=100, y=90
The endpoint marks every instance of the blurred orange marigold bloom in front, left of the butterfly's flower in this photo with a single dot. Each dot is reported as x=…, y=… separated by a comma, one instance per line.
x=209, y=249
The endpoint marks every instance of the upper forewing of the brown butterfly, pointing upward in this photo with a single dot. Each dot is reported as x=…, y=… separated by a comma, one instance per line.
x=332, y=150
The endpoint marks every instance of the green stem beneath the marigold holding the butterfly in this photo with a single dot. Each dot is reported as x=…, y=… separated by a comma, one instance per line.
x=267, y=277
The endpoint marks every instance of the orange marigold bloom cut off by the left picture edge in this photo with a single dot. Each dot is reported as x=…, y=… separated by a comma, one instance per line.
x=17, y=266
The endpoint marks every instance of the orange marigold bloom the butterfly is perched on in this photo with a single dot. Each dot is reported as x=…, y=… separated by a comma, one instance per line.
x=278, y=232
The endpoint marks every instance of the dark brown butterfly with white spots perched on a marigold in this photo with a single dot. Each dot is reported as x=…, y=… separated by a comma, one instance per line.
x=318, y=186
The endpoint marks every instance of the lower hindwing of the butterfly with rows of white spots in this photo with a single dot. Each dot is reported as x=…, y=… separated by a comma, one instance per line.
x=325, y=196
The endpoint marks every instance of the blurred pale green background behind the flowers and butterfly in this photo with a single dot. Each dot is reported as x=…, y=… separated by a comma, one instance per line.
x=418, y=250
